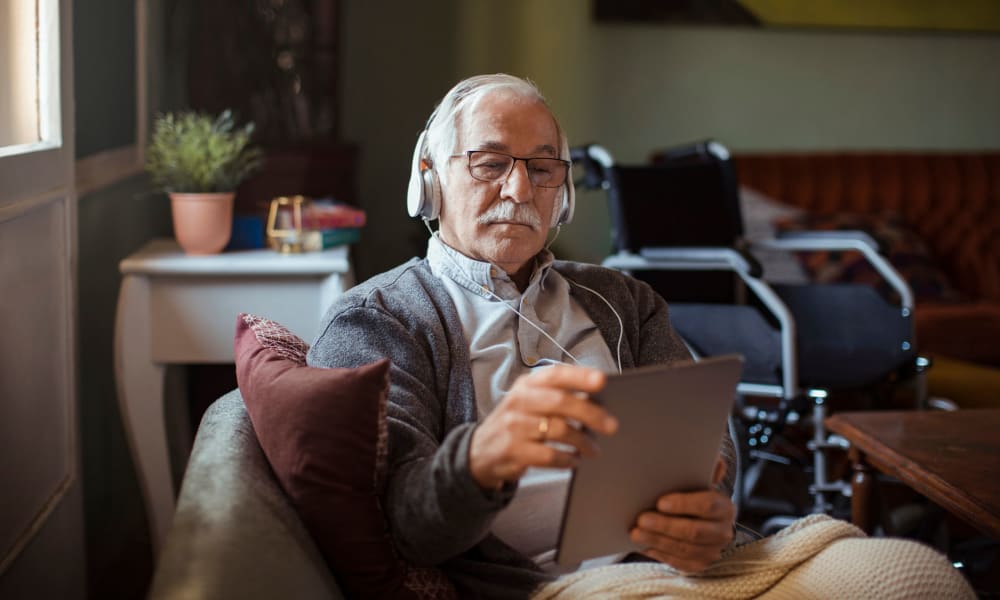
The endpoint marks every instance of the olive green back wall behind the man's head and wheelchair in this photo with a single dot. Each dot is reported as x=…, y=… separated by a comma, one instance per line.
x=636, y=87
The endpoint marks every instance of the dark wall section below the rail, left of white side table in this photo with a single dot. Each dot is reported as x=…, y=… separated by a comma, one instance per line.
x=113, y=222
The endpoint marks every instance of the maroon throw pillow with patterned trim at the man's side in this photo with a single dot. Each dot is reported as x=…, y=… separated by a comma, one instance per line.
x=324, y=434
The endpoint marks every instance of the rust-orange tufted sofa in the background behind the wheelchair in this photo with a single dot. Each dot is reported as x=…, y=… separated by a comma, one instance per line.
x=949, y=202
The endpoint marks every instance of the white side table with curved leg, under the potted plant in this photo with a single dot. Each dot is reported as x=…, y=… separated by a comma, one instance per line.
x=178, y=309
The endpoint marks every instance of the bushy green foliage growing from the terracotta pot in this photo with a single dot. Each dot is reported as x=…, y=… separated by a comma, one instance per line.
x=195, y=152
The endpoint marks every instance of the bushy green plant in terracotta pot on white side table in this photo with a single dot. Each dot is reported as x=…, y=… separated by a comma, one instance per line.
x=198, y=160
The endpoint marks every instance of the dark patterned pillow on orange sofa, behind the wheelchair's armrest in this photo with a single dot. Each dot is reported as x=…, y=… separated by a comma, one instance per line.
x=904, y=249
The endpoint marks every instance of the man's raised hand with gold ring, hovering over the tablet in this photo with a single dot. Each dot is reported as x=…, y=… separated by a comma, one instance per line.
x=538, y=409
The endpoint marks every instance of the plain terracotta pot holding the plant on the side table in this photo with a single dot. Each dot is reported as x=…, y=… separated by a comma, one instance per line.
x=202, y=222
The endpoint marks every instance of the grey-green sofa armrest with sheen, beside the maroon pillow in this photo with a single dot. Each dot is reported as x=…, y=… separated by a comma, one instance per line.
x=234, y=533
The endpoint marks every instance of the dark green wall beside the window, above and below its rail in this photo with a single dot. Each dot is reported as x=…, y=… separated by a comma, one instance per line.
x=113, y=222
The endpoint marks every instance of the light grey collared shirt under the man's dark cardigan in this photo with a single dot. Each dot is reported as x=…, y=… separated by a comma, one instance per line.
x=504, y=345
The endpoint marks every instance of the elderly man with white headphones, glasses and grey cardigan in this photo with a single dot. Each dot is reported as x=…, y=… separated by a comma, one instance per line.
x=495, y=346
